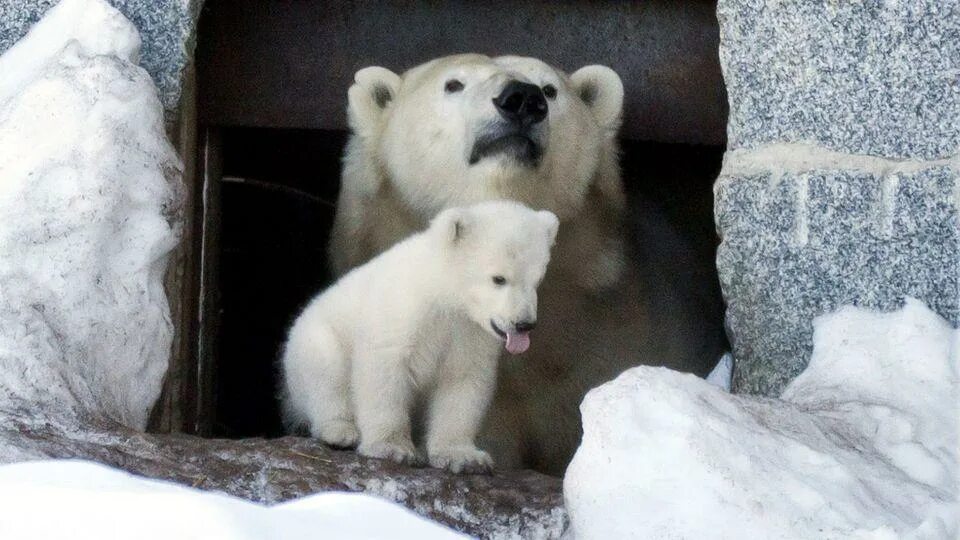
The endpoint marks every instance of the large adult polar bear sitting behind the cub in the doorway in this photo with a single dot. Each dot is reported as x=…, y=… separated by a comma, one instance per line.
x=463, y=129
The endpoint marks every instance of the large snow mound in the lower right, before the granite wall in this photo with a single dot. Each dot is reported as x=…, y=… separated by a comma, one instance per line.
x=863, y=444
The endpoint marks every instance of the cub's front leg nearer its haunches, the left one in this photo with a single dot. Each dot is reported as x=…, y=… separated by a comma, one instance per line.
x=383, y=399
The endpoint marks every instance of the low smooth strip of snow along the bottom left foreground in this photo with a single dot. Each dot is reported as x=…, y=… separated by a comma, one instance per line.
x=83, y=500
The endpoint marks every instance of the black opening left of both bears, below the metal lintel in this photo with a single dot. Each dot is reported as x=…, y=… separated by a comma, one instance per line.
x=278, y=192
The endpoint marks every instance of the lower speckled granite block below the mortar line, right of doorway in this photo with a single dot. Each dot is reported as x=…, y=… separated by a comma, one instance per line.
x=799, y=245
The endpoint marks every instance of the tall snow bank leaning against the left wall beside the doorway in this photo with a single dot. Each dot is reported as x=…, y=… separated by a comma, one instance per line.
x=88, y=215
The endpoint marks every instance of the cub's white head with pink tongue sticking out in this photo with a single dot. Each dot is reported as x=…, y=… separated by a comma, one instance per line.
x=497, y=253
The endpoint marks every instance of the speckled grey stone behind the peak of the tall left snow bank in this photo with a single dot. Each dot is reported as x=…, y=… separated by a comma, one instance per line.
x=166, y=28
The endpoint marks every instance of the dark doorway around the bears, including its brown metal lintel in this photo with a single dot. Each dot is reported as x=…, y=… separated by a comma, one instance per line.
x=272, y=79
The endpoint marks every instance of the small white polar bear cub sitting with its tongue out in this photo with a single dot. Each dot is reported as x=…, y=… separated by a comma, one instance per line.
x=420, y=325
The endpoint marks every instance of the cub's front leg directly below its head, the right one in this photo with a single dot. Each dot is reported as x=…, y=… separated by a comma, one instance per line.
x=465, y=386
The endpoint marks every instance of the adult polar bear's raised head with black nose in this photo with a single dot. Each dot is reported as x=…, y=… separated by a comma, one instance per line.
x=469, y=128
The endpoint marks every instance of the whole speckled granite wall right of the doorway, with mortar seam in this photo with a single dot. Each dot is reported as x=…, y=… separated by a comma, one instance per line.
x=840, y=184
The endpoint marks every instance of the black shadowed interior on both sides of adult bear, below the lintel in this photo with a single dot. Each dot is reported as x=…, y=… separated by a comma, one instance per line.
x=276, y=223
